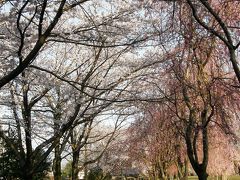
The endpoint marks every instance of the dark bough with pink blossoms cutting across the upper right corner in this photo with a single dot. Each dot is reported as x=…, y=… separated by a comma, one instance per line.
x=222, y=22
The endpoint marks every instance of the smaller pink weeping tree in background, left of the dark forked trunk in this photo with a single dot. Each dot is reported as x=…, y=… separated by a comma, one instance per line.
x=155, y=143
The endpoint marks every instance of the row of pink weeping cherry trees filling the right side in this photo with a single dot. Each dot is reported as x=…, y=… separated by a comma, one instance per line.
x=200, y=95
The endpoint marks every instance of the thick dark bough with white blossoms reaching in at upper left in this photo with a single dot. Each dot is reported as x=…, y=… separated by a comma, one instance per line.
x=27, y=27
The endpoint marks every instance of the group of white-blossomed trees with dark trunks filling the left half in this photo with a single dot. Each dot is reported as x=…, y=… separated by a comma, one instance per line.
x=59, y=71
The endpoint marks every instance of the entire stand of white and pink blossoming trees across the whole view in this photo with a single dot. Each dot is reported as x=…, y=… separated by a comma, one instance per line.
x=69, y=65
